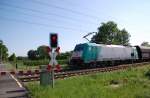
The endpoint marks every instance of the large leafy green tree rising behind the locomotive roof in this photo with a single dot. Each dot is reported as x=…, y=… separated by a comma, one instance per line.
x=108, y=33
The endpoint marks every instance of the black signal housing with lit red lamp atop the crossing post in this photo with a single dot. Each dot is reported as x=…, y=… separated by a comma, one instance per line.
x=53, y=40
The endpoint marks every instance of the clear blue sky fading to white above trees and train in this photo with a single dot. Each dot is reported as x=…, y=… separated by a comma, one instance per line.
x=26, y=24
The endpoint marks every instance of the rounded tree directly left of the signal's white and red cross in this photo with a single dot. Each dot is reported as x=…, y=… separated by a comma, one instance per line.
x=42, y=52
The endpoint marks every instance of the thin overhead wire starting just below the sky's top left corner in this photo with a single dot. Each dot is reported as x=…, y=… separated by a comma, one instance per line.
x=47, y=13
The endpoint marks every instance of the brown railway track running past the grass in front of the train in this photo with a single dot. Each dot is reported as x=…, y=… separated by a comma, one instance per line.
x=67, y=74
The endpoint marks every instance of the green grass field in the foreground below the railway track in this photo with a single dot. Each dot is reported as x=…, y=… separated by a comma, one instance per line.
x=130, y=83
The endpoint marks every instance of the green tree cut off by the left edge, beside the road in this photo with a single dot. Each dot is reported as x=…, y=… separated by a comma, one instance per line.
x=3, y=51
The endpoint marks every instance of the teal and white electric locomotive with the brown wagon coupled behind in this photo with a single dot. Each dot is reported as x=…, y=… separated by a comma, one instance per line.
x=99, y=54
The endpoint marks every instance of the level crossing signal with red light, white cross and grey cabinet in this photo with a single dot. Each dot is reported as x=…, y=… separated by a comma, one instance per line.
x=48, y=72
